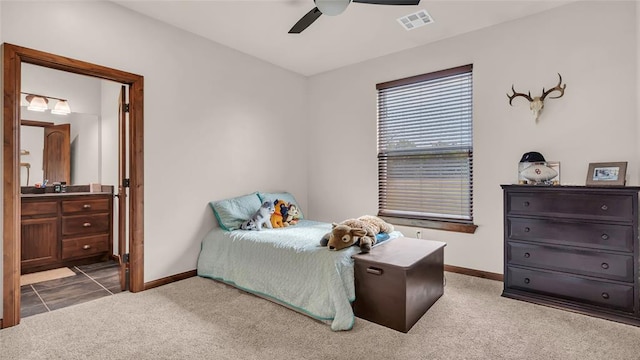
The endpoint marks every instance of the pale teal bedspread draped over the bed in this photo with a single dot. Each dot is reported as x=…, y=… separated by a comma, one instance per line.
x=287, y=265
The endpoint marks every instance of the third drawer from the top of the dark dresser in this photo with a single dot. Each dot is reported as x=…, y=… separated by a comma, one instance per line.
x=590, y=263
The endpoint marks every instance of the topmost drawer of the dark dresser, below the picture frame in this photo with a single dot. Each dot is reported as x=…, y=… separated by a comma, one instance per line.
x=575, y=205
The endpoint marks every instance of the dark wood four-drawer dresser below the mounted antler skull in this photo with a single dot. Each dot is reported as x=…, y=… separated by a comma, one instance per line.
x=573, y=247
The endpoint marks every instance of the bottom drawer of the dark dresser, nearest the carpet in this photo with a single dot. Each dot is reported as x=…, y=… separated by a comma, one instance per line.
x=600, y=293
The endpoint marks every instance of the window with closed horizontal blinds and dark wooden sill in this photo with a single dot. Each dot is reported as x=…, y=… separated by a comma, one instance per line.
x=425, y=150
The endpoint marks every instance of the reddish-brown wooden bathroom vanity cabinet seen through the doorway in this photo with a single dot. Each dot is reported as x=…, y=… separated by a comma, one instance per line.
x=65, y=229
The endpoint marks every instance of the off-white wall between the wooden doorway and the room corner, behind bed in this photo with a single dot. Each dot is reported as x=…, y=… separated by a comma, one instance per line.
x=245, y=136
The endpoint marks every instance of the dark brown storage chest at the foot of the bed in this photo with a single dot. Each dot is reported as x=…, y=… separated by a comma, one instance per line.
x=398, y=281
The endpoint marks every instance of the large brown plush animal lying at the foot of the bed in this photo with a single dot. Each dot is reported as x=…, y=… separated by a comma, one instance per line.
x=362, y=230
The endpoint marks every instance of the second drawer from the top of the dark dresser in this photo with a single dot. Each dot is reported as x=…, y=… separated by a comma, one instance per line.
x=592, y=235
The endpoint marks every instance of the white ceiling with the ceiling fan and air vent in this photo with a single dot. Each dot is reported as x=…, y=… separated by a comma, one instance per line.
x=260, y=28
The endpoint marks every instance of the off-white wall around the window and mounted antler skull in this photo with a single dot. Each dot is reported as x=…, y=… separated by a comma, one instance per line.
x=596, y=120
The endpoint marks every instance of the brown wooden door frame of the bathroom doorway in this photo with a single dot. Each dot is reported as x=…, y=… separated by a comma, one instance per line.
x=12, y=58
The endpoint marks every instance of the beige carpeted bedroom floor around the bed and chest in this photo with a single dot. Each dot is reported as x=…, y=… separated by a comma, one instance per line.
x=201, y=319
